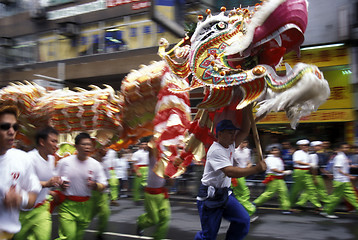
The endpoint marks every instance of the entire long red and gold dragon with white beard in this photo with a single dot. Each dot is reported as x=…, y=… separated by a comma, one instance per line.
x=232, y=56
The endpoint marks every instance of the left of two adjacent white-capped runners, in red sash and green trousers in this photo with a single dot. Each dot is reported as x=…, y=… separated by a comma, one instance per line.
x=302, y=177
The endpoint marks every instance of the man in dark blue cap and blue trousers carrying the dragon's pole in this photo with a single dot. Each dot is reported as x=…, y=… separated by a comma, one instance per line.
x=215, y=200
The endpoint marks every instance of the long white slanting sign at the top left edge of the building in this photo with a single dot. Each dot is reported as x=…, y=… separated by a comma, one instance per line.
x=77, y=10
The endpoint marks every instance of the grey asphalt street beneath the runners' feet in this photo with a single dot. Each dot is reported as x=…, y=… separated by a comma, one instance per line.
x=271, y=225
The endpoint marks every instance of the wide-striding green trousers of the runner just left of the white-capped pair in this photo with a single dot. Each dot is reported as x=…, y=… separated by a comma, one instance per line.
x=275, y=186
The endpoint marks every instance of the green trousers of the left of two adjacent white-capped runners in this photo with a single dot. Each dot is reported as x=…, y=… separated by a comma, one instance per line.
x=303, y=181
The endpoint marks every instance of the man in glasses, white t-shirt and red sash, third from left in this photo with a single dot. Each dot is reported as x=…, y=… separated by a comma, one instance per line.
x=84, y=174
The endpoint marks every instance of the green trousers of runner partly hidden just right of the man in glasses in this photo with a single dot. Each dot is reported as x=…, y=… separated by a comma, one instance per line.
x=101, y=210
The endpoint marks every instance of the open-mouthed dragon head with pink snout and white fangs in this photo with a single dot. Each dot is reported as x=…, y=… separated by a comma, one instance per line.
x=225, y=48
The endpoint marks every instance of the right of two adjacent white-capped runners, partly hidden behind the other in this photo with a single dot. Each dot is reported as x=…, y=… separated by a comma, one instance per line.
x=318, y=171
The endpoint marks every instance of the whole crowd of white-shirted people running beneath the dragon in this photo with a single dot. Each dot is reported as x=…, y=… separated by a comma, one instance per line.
x=84, y=185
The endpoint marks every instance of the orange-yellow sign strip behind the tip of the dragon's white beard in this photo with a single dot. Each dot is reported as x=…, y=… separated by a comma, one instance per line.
x=333, y=115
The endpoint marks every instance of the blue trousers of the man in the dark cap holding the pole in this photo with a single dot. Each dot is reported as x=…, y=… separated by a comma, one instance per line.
x=210, y=219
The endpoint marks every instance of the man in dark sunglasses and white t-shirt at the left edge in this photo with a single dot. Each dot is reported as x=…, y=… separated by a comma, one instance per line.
x=19, y=185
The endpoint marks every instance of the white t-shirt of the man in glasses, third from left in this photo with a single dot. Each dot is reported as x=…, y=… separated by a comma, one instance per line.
x=78, y=172
